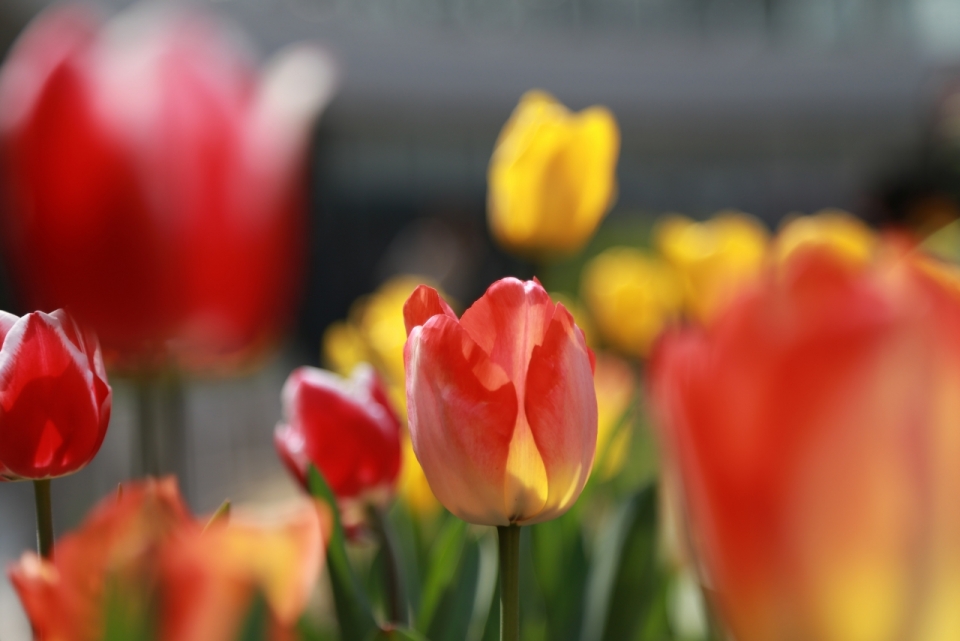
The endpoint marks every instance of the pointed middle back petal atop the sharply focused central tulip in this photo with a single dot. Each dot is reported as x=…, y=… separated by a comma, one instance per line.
x=507, y=322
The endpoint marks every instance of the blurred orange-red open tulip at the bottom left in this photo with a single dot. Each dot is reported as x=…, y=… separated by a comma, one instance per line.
x=143, y=566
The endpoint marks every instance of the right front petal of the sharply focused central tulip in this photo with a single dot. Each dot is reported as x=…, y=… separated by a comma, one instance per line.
x=561, y=409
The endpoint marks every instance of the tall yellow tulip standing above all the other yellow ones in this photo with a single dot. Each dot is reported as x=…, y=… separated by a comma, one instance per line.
x=552, y=177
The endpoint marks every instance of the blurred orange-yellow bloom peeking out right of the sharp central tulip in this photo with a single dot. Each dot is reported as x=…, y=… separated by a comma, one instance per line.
x=615, y=384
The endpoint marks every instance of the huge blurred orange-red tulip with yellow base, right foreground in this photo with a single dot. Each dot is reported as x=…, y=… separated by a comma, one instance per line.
x=812, y=430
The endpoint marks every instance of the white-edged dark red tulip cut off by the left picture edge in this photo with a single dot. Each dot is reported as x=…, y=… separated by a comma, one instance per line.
x=54, y=396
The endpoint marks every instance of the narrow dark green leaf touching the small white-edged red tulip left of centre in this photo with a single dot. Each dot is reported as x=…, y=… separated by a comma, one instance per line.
x=353, y=608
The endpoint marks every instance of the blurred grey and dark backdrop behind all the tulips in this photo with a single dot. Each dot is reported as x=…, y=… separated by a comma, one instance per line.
x=768, y=106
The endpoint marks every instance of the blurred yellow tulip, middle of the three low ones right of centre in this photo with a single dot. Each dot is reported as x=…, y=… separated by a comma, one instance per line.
x=714, y=258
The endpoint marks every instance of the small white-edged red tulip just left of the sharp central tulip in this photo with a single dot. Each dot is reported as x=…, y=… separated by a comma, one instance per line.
x=347, y=429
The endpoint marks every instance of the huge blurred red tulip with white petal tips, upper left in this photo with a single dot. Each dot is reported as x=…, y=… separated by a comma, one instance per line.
x=155, y=180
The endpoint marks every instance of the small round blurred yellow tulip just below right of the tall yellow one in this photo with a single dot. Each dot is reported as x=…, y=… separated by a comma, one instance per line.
x=632, y=296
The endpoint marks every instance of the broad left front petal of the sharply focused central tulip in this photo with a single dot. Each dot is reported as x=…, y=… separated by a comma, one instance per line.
x=462, y=413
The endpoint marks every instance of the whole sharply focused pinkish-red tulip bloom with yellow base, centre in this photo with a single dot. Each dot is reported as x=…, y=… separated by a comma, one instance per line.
x=502, y=409
